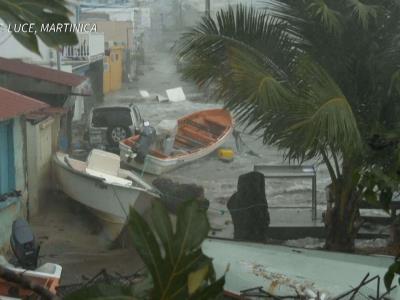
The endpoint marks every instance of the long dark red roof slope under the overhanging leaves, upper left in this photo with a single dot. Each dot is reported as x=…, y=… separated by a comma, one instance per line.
x=18, y=67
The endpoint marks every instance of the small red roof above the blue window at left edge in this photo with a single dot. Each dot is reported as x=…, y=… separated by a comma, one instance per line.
x=13, y=104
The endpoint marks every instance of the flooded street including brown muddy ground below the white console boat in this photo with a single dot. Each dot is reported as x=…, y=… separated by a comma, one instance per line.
x=72, y=237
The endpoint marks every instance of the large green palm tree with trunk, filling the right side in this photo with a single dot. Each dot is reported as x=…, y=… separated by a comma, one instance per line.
x=319, y=79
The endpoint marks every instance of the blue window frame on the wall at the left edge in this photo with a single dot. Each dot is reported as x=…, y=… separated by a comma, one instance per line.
x=7, y=165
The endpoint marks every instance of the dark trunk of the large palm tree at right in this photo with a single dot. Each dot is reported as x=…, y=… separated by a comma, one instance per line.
x=343, y=219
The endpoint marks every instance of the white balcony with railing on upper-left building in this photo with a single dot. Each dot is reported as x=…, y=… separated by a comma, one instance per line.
x=90, y=48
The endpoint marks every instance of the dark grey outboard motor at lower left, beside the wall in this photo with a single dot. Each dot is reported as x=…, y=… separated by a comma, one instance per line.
x=23, y=244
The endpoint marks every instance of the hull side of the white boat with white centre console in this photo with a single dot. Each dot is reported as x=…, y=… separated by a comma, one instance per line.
x=111, y=203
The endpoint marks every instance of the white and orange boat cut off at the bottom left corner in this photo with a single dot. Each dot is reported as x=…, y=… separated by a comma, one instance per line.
x=47, y=275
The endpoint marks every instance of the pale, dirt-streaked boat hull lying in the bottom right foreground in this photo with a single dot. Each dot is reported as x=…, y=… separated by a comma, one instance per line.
x=289, y=272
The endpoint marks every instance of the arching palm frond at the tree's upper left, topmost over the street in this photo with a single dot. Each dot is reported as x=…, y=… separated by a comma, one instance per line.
x=246, y=28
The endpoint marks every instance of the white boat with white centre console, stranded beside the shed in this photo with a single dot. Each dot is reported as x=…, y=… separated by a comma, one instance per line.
x=102, y=186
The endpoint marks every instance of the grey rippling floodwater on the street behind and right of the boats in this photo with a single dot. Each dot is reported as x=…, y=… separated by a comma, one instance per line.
x=218, y=178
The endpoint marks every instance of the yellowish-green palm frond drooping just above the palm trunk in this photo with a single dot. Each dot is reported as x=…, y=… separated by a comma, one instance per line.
x=319, y=118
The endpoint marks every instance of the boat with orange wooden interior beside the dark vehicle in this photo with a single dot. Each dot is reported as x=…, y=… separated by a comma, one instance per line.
x=195, y=136
